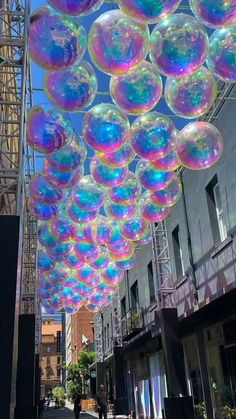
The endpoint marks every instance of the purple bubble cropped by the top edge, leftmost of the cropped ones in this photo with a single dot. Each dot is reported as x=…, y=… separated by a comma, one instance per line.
x=76, y=7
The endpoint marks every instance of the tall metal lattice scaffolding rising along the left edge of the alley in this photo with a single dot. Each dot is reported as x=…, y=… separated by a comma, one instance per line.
x=17, y=163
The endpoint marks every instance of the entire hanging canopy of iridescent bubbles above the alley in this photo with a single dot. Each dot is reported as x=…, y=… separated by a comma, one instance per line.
x=91, y=221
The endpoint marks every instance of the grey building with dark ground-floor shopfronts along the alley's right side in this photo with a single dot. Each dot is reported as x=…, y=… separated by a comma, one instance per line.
x=178, y=313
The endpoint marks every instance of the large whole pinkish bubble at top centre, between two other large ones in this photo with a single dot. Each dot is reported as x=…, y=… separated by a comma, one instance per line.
x=117, y=43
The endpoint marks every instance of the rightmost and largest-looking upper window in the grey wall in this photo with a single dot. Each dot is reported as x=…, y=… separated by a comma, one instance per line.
x=216, y=213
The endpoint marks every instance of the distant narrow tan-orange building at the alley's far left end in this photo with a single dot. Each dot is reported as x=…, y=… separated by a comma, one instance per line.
x=51, y=356
